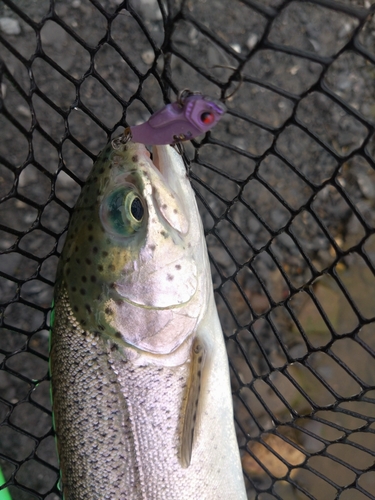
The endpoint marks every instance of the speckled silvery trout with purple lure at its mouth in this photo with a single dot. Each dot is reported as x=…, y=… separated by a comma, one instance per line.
x=140, y=384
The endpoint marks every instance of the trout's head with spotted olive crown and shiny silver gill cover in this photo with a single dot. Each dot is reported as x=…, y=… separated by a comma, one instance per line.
x=134, y=263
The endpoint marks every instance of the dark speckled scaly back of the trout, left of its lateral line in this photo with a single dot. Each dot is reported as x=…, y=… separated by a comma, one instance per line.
x=91, y=411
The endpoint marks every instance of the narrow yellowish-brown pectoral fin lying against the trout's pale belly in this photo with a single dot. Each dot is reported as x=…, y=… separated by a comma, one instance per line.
x=198, y=357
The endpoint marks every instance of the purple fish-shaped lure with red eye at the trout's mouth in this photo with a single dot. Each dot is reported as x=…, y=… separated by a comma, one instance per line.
x=193, y=114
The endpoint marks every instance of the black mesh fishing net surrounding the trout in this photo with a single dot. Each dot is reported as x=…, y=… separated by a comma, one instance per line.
x=286, y=189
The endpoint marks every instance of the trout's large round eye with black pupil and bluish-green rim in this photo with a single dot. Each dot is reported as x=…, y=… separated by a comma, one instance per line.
x=122, y=211
